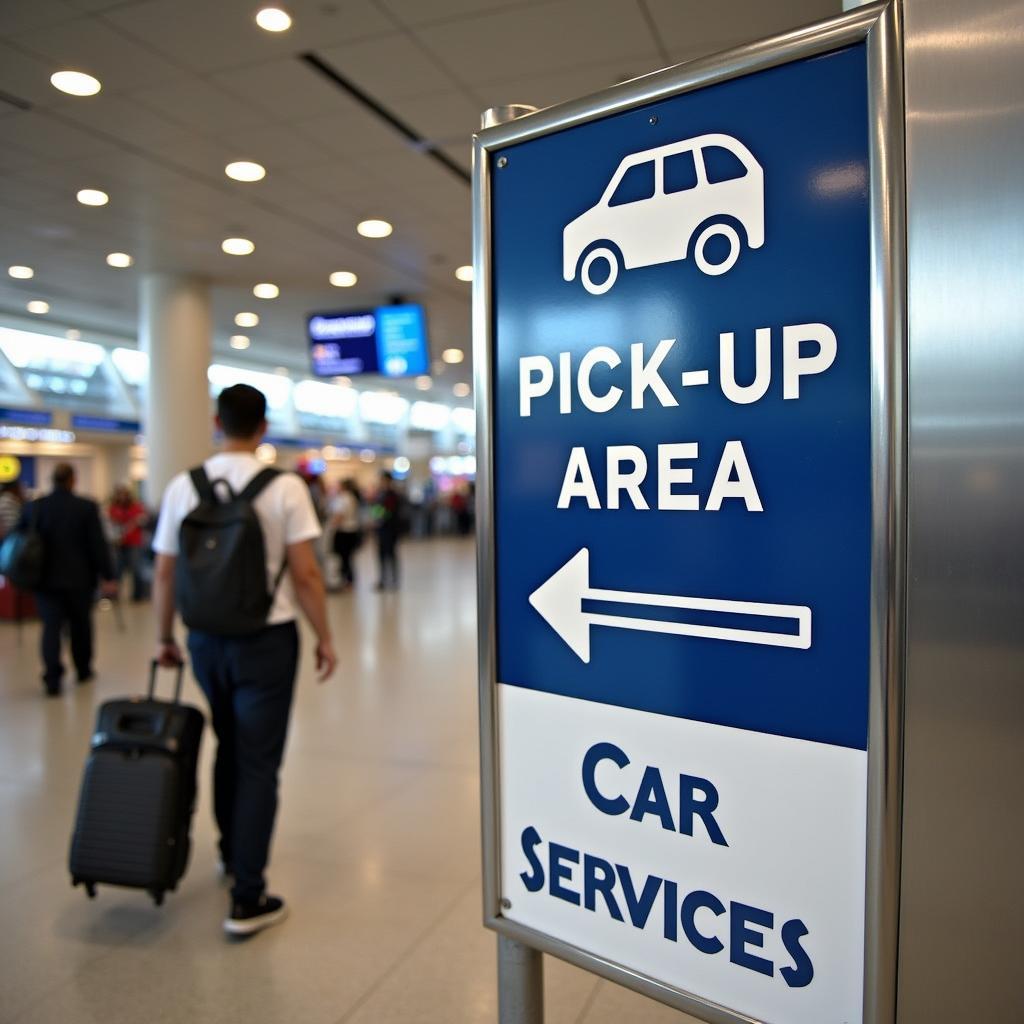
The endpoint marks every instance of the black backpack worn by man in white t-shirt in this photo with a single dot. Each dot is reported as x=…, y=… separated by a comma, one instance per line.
x=221, y=580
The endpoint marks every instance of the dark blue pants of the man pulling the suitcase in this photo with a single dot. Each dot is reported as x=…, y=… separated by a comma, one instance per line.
x=249, y=682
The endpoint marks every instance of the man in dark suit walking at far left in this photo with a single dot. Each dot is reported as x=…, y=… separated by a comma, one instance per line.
x=77, y=558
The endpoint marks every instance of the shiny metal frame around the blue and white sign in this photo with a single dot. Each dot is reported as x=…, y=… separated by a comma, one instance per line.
x=879, y=25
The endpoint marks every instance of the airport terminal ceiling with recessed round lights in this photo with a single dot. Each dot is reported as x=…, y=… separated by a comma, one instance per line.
x=363, y=109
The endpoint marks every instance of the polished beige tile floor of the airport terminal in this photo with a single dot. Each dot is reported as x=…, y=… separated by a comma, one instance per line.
x=377, y=847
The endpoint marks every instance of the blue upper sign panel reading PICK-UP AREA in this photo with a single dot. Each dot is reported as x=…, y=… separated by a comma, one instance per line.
x=682, y=418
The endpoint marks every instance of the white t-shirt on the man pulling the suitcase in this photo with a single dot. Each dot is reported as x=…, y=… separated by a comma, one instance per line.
x=284, y=508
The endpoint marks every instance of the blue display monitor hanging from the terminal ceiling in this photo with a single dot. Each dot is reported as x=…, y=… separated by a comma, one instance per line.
x=390, y=340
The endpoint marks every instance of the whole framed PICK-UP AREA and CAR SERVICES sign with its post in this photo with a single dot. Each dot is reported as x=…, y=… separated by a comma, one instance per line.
x=690, y=354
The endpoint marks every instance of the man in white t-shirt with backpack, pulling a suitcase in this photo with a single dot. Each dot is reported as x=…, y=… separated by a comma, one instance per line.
x=245, y=664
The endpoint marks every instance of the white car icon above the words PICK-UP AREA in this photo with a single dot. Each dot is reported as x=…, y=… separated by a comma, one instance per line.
x=701, y=198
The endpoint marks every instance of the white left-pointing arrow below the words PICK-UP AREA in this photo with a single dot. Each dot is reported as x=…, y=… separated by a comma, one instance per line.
x=560, y=603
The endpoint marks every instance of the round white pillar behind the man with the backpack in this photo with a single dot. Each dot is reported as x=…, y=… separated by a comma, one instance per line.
x=177, y=332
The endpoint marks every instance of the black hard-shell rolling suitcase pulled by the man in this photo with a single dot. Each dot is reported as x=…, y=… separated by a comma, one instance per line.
x=139, y=793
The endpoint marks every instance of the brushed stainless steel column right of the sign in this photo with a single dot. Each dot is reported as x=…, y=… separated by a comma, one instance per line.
x=962, y=920
